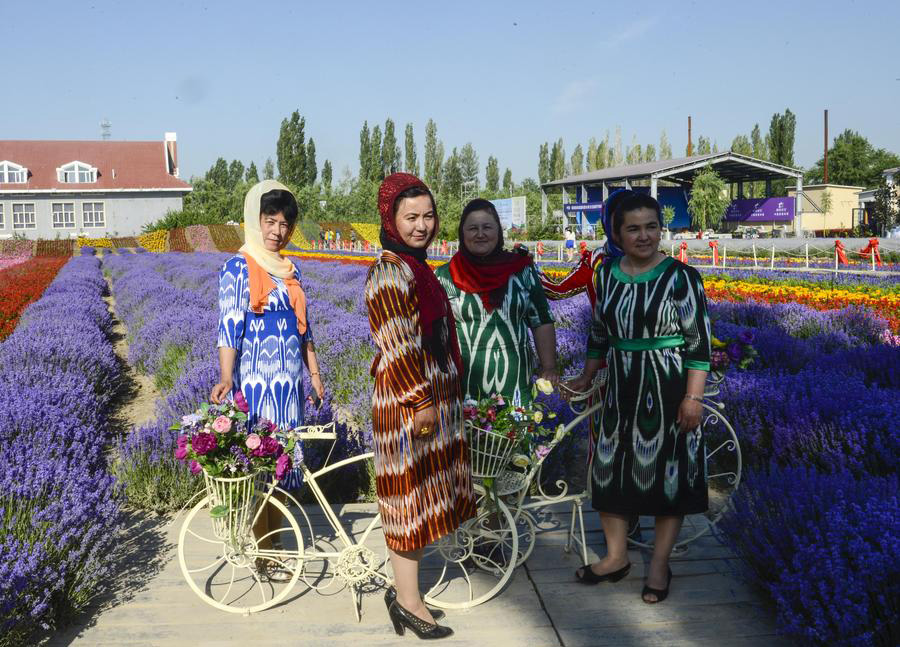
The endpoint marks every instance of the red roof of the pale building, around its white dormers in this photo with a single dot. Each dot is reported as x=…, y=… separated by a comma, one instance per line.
x=137, y=165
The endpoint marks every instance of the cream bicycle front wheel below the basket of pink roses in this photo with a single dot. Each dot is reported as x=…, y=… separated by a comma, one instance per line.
x=236, y=574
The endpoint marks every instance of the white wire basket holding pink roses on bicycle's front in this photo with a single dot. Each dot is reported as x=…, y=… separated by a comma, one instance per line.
x=233, y=503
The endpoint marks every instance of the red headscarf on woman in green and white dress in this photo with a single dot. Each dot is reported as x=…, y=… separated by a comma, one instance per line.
x=488, y=275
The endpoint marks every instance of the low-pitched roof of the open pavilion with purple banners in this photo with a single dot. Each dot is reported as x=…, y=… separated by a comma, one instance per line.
x=590, y=189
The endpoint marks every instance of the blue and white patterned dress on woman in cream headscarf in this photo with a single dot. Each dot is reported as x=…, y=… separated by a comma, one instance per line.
x=269, y=366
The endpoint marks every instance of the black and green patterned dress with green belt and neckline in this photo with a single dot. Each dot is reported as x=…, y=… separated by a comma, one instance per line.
x=652, y=328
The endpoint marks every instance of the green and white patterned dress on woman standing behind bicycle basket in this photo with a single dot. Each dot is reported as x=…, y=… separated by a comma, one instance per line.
x=495, y=347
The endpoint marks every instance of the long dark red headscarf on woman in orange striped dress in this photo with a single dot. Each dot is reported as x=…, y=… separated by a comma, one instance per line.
x=435, y=315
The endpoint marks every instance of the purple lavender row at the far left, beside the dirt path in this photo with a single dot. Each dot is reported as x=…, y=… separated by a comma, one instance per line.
x=59, y=515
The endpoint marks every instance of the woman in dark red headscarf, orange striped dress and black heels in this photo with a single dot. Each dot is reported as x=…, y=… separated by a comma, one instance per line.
x=422, y=473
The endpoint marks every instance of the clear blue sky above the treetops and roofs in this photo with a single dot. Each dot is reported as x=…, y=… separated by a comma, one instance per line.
x=505, y=76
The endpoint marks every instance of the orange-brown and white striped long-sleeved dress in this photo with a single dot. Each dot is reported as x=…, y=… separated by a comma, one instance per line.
x=424, y=484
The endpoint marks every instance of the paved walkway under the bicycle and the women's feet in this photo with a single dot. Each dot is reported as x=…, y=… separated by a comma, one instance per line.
x=541, y=605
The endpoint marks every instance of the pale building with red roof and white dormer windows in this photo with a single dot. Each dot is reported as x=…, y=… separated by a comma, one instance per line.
x=61, y=189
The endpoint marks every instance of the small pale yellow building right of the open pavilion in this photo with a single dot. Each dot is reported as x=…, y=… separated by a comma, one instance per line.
x=841, y=217
